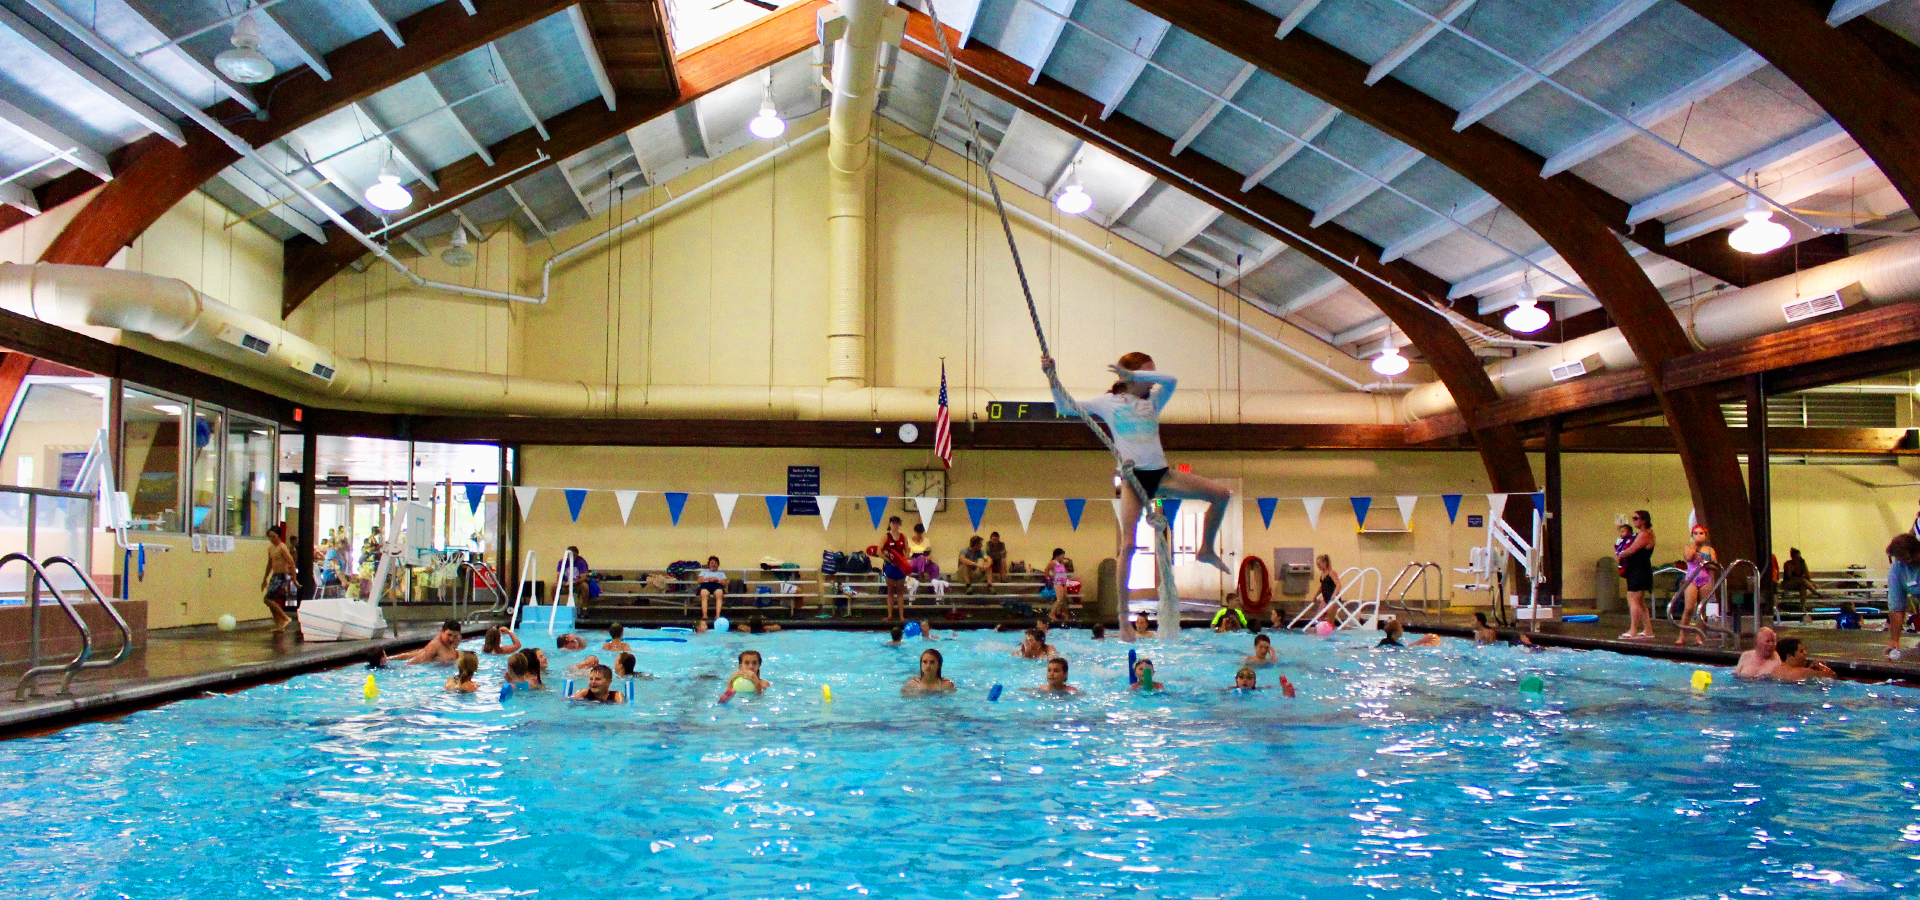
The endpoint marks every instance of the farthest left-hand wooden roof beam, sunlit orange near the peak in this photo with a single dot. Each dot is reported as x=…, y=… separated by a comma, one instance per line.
x=700, y=72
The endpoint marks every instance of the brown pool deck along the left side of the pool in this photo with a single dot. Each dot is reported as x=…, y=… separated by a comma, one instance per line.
x=183, y=663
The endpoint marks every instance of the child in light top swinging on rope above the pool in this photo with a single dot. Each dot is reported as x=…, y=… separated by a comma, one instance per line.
x=1132, y=414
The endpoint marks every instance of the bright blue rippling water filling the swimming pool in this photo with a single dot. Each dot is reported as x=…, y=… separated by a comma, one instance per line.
x=1393, y=774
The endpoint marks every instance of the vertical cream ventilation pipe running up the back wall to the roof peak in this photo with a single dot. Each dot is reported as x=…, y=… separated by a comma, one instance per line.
x=855, y=30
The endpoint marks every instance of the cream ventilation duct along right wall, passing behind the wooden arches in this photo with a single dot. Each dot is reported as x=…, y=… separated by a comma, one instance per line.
x=1879, y=277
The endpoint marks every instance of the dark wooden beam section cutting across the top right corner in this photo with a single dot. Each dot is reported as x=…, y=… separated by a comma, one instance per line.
x=1861, y=74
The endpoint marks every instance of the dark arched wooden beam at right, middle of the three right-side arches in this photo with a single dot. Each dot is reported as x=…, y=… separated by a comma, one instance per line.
x=1560, y=210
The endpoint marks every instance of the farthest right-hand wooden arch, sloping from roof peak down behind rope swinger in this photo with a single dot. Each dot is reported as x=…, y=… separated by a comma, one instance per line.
x=1262, y=208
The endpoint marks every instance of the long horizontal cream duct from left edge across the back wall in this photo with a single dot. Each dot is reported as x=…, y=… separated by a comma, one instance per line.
x=74, y=296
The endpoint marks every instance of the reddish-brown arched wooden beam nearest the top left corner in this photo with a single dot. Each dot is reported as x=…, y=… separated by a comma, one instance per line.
x=156, y=176
